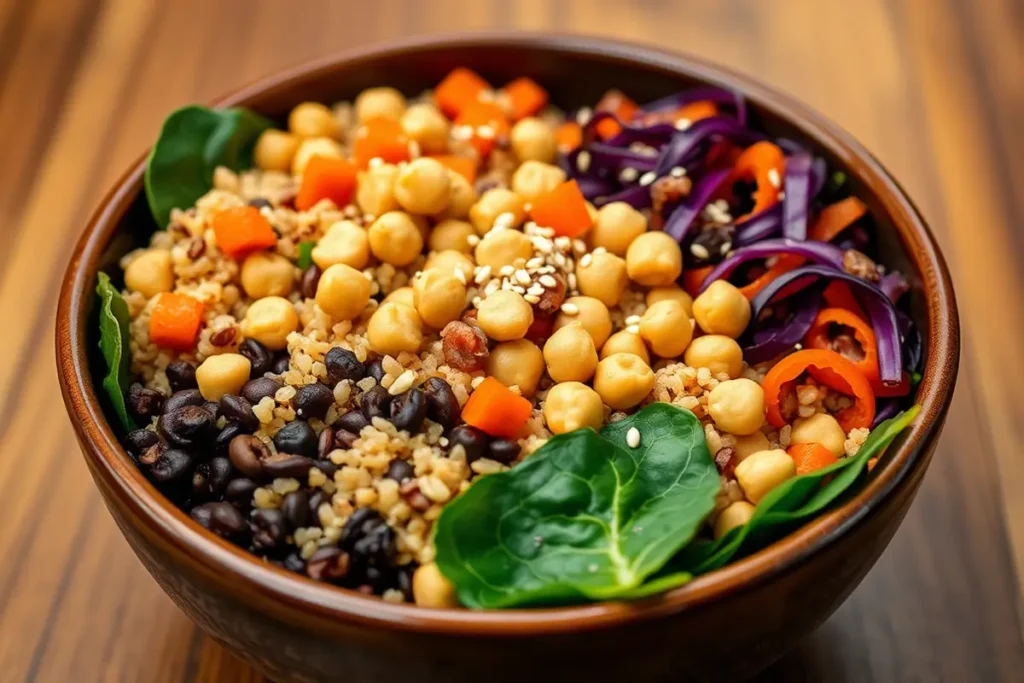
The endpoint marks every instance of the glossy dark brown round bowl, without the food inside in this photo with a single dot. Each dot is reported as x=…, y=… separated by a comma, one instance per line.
x=722, y=626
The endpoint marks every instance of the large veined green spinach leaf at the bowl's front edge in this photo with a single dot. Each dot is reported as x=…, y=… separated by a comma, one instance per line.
x=585, y=518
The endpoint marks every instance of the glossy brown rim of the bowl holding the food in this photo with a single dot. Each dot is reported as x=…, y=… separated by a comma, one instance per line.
x=296, y=600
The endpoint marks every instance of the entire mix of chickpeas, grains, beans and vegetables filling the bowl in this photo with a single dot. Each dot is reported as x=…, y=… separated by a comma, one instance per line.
x=467, y=349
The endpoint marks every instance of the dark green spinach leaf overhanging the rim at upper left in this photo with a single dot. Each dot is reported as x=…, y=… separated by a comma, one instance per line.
x=193, y=143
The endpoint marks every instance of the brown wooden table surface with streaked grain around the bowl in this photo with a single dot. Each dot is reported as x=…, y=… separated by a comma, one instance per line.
x=934, y=88
